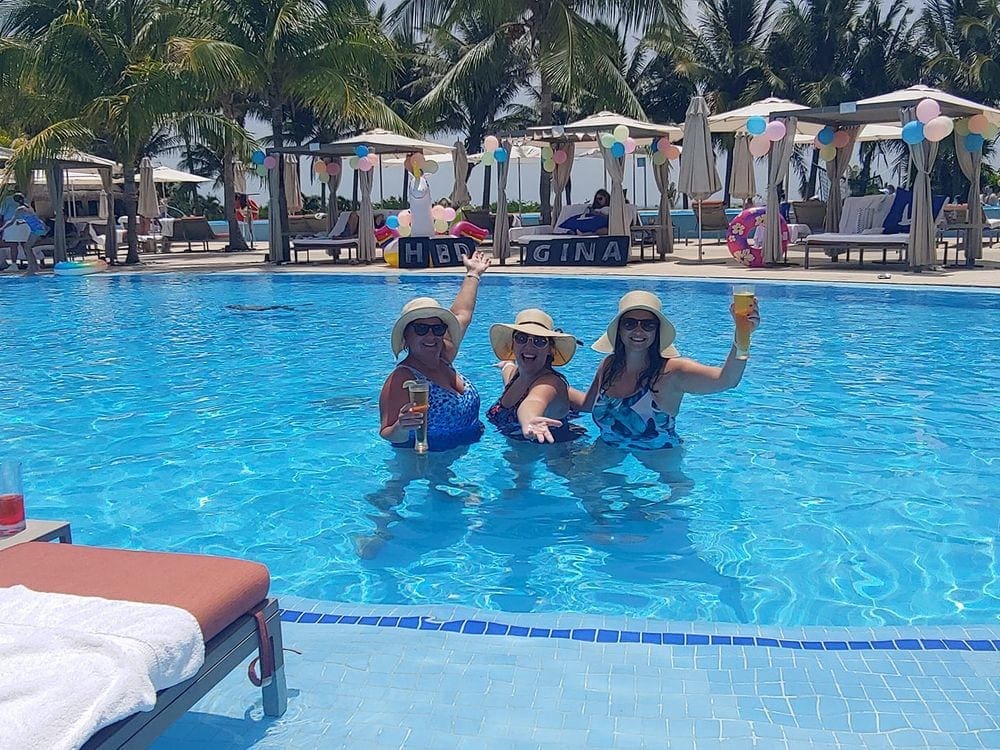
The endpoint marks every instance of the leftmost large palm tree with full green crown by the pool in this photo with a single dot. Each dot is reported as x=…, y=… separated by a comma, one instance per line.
x=99, y=73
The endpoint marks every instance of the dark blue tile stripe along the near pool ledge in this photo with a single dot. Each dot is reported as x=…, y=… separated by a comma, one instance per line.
x=604, y=635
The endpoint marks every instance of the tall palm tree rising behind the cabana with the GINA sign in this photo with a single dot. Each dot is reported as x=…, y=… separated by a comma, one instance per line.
x=558, y=36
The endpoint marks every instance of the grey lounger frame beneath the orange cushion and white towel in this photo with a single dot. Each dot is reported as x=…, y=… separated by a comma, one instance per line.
x=223, y=653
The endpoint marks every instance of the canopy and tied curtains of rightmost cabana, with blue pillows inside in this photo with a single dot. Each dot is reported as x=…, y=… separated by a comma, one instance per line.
x=893, y=109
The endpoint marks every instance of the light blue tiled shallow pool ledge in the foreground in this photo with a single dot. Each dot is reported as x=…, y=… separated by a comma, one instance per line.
x=559, y=681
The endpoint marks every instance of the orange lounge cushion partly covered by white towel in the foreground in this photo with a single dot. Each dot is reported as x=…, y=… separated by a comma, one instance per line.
x=216, y=590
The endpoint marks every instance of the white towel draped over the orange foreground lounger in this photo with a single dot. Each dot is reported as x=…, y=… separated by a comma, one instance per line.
x=74, y=664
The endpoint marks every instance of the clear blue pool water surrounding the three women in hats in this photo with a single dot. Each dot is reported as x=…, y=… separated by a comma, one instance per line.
x=851, y=480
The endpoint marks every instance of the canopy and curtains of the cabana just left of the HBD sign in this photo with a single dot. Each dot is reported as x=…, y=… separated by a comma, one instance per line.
x=378, y=142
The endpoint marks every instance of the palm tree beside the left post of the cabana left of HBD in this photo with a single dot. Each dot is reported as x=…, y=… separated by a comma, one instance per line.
x=323, y=55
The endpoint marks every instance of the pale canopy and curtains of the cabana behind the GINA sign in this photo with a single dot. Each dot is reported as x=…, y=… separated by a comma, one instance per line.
x=588, y=131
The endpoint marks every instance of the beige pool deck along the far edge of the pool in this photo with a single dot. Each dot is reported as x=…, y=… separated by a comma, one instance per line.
x=682, y=264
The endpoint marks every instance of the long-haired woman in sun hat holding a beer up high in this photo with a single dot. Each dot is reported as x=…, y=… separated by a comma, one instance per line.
x=637, y=391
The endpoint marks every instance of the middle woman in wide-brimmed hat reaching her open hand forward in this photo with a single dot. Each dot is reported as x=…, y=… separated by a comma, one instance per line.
x=535, y=400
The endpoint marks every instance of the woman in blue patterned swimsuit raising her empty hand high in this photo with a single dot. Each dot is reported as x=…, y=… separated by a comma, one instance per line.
x=430, y=335
